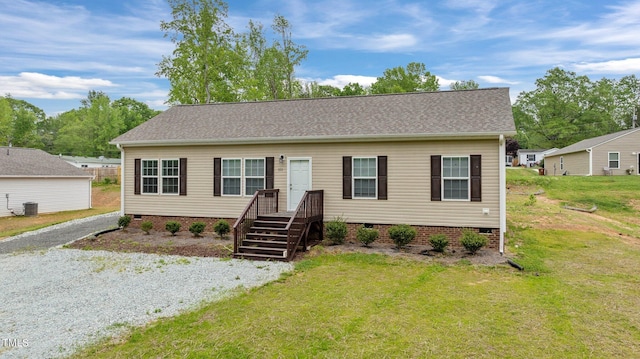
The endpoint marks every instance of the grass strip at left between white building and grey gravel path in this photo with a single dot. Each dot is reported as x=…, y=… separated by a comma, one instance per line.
x=104, y=198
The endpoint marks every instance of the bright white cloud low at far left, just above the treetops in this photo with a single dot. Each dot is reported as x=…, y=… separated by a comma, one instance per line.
x=37, y=85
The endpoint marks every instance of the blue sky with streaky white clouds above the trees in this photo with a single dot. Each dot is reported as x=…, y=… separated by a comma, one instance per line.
x=53, y=52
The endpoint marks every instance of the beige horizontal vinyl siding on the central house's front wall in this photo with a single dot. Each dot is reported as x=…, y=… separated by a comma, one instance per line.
x=408, y=182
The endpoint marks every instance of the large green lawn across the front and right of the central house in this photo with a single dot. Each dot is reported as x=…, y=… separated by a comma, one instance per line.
x=578, y=296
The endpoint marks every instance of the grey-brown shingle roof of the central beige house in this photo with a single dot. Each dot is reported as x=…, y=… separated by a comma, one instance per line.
x=442, y=113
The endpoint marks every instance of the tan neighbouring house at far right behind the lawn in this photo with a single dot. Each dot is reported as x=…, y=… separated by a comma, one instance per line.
x=613, y=154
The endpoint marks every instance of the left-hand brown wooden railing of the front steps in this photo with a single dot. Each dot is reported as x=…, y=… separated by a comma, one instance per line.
x=264, y=201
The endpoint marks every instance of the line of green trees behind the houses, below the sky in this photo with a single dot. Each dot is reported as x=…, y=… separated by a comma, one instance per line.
x=213, y=63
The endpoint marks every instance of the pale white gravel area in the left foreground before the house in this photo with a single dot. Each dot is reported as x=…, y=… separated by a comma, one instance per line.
x=54, y=300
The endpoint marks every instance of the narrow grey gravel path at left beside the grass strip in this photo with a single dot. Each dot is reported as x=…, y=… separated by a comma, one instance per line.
x=59, y=234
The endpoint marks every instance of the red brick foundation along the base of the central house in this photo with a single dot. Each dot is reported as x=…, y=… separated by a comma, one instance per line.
x=424, y=232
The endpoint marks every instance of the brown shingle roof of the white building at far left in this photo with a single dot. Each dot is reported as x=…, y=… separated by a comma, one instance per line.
x=31, y=162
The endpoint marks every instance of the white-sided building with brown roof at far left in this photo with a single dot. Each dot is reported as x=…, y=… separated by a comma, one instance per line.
x=34, y=176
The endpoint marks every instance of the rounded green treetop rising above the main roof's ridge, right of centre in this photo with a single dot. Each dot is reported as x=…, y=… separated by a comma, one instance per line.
x=413, y=78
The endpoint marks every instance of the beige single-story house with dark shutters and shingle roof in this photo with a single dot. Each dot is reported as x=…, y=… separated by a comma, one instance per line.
x=433, y=160
